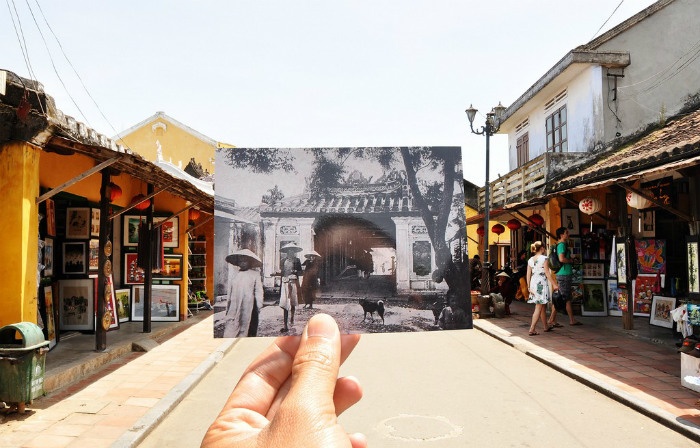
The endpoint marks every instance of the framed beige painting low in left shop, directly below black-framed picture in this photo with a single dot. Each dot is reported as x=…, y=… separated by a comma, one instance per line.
x=76, y=309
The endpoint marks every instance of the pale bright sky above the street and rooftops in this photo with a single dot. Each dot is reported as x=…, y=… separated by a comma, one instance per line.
x=301, y=74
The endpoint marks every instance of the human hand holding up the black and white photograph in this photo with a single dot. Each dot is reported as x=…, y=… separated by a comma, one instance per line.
x=291, y=396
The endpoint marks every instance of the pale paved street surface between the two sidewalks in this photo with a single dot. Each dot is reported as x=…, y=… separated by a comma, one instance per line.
x=446, y=389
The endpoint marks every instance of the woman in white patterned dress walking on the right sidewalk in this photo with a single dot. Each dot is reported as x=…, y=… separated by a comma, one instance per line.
x=539, y=279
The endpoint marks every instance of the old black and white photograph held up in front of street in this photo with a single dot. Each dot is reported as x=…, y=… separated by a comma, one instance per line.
x=375, y=237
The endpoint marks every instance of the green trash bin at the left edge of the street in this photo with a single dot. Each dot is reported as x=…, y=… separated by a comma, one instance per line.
x=22, y=363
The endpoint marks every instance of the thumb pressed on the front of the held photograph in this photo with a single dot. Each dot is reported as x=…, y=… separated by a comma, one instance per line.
x=315, y=368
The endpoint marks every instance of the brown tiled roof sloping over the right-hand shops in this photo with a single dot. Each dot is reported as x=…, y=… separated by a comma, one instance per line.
x=677, y=142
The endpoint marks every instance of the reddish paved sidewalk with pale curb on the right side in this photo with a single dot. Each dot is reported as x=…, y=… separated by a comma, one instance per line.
x=639, y=368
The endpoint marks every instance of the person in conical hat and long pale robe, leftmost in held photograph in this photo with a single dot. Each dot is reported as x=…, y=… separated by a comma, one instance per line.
x=245, y=295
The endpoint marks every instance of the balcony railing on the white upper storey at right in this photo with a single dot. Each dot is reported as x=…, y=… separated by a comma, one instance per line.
x=529, y=181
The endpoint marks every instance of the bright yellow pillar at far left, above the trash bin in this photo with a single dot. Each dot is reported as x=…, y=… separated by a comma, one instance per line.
x=19, y=187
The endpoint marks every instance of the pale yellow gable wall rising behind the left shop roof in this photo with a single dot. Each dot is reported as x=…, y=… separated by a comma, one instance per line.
x=177, y=144
